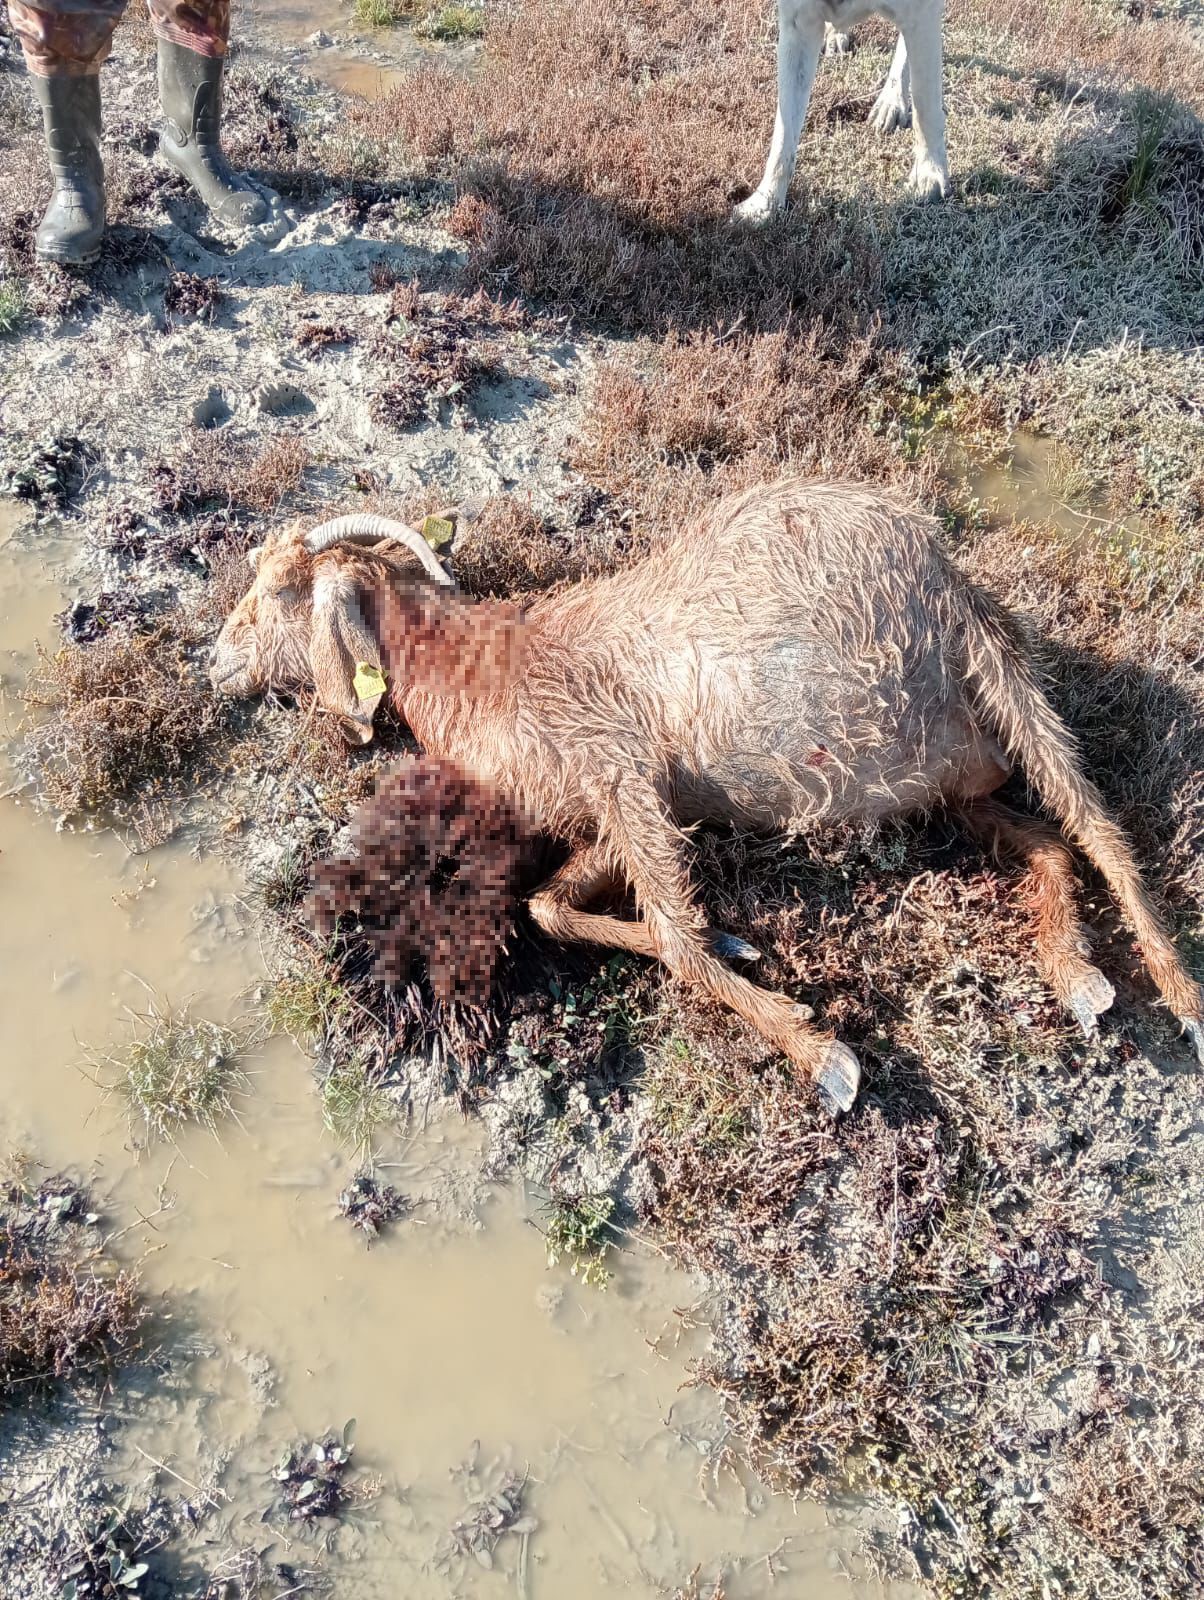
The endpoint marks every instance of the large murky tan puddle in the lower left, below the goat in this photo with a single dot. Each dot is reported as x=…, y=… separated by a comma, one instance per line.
x=449, y=1330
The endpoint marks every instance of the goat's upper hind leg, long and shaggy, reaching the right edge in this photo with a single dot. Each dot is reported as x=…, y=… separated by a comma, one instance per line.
x=1011, y=702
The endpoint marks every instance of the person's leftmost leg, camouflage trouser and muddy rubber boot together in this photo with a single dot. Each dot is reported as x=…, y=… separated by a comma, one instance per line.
x=65, y=46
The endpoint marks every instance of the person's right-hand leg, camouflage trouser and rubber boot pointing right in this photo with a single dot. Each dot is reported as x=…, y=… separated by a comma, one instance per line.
x=193, y=38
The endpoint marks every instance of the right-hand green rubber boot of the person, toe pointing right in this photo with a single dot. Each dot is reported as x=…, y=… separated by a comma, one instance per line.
x=190, y=92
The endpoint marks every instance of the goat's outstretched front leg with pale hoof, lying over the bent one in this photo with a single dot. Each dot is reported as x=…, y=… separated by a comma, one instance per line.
x=652, y=849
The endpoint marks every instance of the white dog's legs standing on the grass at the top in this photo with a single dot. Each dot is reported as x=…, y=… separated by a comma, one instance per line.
x=913, y=84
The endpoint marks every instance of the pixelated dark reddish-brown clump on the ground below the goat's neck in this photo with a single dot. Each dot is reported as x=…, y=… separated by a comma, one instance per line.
x=435, y=874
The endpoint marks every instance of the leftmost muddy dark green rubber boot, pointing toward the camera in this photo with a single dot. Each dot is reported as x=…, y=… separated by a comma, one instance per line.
x=74, y=223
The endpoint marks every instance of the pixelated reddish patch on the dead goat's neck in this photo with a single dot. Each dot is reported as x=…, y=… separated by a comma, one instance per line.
x=449, y=646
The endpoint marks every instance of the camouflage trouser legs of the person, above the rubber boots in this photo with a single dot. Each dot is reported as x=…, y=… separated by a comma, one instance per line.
x=71, y=39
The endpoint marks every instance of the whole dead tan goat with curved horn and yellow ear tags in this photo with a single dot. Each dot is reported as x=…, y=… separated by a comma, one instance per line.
x=805, y=652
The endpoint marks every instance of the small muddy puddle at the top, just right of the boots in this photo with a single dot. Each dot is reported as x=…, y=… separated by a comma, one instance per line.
x=358, y=60
